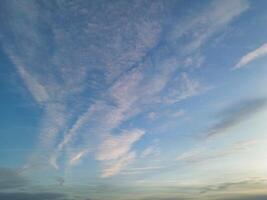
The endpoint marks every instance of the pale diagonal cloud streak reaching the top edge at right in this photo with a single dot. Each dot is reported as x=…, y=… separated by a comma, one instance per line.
x=198, y=28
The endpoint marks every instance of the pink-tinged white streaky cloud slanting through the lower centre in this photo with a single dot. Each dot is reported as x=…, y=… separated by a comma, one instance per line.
x=104, y=117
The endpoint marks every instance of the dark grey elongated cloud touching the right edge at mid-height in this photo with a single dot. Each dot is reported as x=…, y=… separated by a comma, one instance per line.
x=236, y=114
